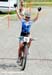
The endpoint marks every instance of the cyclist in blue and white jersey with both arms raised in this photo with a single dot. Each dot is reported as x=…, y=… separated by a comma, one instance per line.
x=26, y=26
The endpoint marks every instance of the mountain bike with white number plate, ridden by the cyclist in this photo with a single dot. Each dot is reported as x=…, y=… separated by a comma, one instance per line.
x=24, y=52
